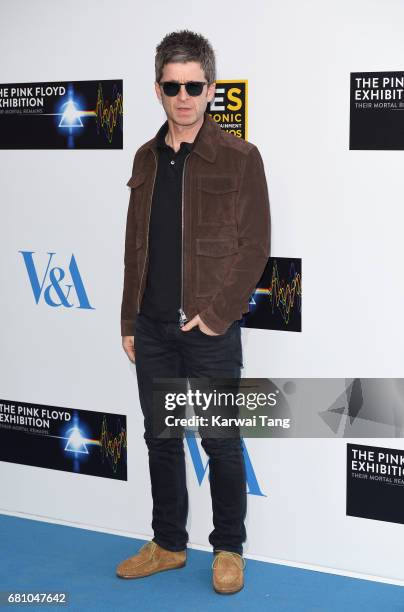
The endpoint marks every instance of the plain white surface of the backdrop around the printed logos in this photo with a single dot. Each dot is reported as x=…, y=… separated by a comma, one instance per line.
x=339, y=210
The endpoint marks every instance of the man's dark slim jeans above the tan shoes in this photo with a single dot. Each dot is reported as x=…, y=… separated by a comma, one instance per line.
x=162, y=350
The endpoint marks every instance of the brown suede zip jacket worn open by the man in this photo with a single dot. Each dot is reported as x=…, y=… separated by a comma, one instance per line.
x=225, y=228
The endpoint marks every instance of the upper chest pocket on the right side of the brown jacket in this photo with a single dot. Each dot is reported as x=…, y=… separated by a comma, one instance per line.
x=217, y=200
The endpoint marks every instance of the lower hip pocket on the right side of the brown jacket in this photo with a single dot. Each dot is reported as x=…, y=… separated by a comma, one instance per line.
x=214, y=257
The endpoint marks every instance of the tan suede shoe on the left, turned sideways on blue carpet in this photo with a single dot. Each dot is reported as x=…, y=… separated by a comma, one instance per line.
x=150, y=559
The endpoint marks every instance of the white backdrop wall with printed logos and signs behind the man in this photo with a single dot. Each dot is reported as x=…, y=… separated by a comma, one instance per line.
x=325, y=461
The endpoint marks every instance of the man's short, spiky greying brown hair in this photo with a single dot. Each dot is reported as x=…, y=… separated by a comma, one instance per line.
x=186, y=46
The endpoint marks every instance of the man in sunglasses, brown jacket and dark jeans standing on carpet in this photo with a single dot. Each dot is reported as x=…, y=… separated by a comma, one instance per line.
x=197, y=241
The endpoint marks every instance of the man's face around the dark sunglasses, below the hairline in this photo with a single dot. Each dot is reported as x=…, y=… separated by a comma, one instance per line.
x=184, y=109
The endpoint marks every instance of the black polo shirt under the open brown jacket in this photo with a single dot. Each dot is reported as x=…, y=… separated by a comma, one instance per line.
x=162, y=296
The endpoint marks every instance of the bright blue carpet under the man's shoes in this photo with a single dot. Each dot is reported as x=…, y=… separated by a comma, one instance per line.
x=37, y=556
